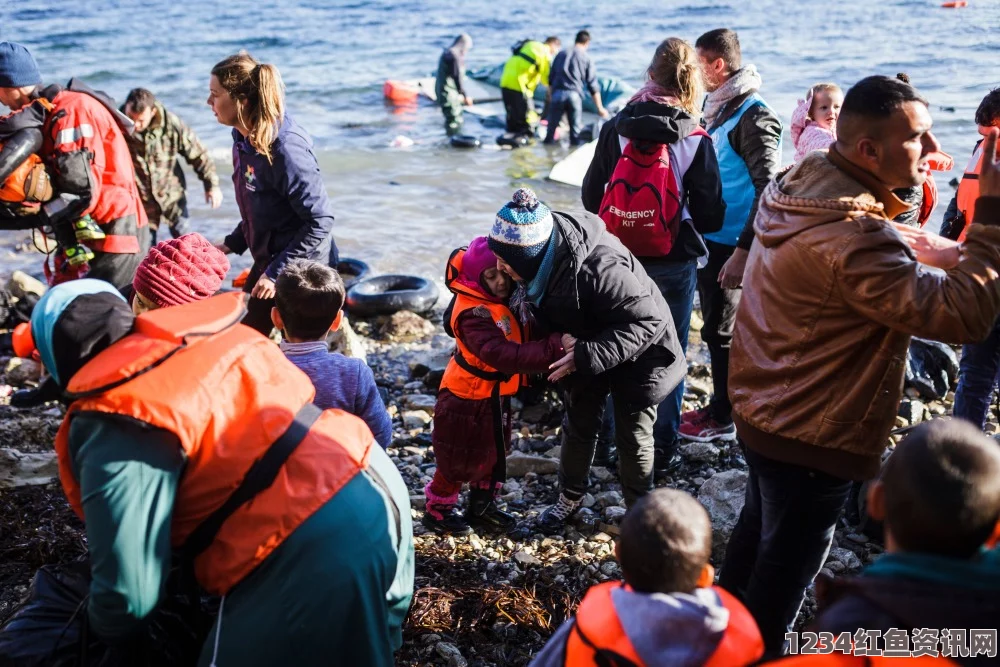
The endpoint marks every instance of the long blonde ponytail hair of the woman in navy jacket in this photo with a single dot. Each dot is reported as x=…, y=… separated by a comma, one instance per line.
x=259, y=87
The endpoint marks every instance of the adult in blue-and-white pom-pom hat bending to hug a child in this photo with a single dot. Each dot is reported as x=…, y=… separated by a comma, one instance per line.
x=577, y=278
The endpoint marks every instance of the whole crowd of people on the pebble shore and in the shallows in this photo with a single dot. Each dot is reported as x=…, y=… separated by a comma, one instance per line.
x=190, y=435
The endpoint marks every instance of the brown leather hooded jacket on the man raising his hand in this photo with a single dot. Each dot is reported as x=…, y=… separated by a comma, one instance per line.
x=831, y=296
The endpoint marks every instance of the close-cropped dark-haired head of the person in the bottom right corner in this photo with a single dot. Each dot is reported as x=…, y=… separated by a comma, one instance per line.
x=942, y=489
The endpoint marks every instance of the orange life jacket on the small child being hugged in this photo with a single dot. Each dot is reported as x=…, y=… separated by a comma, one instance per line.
x=467, y=376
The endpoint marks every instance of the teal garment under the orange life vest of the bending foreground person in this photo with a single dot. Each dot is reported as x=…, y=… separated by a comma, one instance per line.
x=339, y=585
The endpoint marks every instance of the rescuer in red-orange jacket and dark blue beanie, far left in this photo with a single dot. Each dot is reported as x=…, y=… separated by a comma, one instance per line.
x=96, y=214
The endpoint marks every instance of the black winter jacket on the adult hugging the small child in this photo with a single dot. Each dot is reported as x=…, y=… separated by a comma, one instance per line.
x=599, y=293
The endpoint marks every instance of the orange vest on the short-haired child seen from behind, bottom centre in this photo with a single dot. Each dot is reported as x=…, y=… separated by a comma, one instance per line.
x=596, y=628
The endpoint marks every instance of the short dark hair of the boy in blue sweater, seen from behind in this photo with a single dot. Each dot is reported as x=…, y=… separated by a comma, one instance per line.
x=308, y=296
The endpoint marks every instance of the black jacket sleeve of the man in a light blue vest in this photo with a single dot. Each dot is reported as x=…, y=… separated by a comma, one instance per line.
x=756, y=139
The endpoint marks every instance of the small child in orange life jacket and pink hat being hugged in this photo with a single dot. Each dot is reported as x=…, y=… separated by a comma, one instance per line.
x=472, y=415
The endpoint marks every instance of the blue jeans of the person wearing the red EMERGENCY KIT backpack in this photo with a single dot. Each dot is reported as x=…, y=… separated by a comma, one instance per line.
x=677, y=282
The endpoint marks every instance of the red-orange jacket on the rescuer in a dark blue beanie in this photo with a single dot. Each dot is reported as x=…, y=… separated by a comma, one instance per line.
x=80, y=121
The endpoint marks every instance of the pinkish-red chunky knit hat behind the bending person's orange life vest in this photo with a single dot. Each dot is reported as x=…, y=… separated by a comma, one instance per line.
x=180, y=271
